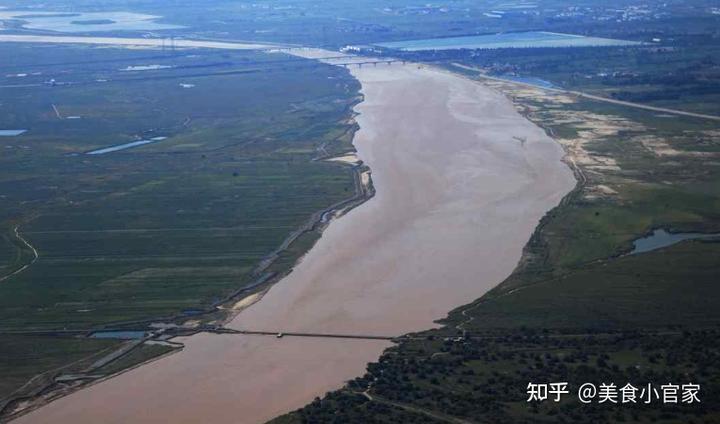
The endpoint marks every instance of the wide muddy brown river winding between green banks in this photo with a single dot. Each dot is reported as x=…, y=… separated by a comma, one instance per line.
x=457, y=199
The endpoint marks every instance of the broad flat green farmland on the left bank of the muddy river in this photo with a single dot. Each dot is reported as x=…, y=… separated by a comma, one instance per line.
x=167, y=228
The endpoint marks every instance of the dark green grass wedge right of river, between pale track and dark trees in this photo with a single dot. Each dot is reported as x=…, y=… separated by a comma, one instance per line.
x=665, y=288
